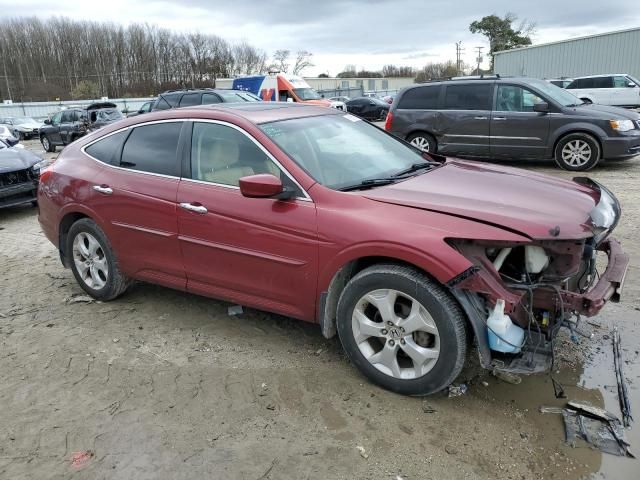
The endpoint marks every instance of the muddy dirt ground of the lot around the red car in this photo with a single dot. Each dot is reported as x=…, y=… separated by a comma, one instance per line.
x=163, y=384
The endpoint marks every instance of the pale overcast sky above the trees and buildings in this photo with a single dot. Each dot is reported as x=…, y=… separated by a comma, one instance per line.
x=368, y=33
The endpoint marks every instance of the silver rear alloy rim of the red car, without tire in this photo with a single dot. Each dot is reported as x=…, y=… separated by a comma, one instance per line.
x=90, y=260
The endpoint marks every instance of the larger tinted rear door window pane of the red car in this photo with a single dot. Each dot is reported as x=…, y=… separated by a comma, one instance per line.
x=153, y=148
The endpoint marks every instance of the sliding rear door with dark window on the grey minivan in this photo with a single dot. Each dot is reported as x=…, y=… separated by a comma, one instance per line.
x=463, y=127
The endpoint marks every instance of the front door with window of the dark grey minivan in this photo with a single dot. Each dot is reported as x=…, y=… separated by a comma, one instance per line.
x=516, y=130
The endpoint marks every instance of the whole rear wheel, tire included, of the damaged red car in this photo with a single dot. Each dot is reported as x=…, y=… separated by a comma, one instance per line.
x=93, y=262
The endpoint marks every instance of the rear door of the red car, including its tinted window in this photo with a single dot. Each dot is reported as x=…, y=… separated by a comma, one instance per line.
x=137, y=197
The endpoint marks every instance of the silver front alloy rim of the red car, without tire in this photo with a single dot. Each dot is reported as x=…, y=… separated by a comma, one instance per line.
x=396, y=334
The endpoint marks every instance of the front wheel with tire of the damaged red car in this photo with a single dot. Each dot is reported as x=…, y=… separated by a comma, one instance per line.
x=417, y=357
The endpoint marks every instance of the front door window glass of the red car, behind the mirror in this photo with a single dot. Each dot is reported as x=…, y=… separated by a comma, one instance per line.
x=222, y=155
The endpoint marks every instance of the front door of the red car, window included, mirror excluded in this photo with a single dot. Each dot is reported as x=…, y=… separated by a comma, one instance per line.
x=257, y=252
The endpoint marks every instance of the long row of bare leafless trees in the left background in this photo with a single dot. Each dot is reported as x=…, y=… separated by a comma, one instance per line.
x=68, y=59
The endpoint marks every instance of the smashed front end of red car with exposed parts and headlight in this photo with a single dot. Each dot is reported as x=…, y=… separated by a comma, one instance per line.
x=519, y=295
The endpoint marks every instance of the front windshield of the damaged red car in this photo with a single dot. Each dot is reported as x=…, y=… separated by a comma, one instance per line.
x=339, y=151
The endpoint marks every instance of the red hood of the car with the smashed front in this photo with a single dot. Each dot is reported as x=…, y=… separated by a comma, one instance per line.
x=534, y=205
